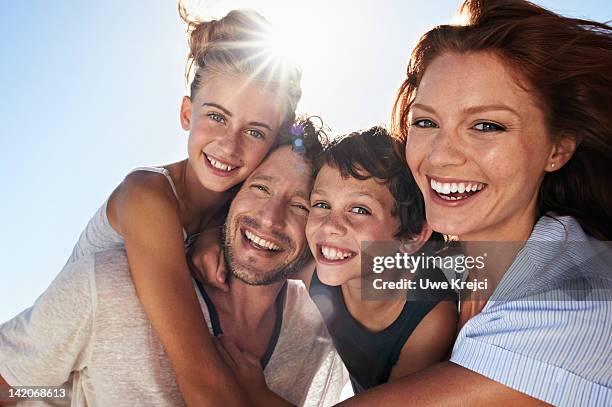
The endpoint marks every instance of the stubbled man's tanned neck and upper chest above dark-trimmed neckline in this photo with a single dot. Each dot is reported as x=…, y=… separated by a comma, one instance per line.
x=245, y=305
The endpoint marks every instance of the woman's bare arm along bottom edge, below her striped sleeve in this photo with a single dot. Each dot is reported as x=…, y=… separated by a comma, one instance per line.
x=442, y=385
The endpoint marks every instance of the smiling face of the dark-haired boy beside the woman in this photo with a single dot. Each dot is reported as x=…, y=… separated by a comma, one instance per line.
x=344, y=213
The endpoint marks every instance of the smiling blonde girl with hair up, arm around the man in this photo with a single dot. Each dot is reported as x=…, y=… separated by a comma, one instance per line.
x=237, y=106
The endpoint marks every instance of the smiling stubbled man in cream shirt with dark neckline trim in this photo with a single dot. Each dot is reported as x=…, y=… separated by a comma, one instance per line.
x=90, y=329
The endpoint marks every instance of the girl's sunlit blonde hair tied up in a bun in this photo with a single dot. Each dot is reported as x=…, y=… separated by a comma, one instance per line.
x=235, y=44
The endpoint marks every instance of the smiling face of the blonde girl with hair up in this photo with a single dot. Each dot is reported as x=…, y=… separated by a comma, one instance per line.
x=233, y=122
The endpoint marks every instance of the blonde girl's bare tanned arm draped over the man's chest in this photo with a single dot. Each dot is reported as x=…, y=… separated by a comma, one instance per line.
x=145, y=212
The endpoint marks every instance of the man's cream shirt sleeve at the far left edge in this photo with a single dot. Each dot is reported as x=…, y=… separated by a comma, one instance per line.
x=42, y=345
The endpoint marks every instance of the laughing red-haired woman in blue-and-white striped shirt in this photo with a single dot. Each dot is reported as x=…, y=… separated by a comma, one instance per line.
x=516, y=103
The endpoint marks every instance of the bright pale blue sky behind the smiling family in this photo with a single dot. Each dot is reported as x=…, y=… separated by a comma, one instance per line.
x=91, y=90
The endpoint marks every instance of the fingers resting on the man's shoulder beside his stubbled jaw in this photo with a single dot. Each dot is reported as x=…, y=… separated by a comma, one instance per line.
x=207, y=257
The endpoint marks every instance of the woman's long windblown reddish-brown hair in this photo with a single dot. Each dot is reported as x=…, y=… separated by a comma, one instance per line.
x=567, y=64
